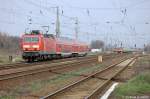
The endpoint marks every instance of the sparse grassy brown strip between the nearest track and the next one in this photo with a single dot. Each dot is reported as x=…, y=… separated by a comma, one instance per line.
x=54, y=82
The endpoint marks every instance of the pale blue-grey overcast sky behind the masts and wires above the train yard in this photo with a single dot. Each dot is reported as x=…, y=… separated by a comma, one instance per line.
x=114, y=21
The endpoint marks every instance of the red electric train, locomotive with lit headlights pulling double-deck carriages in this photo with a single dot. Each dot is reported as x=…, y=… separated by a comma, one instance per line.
x=39, y=46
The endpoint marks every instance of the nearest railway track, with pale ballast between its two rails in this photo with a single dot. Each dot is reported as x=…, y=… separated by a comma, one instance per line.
x=91, y=85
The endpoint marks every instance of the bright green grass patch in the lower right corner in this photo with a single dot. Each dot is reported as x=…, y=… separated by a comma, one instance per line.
x=139, y=85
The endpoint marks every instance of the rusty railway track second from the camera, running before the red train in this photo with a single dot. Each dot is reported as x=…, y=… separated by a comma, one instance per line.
x=25, y=71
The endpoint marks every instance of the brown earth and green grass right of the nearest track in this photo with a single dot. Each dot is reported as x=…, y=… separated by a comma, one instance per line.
x=135, y=81
